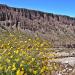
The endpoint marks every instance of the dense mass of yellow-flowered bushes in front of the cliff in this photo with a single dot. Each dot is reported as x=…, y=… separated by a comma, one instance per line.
x=23, y=55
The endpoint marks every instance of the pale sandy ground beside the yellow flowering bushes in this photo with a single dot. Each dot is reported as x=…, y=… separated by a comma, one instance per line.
x=67, y=59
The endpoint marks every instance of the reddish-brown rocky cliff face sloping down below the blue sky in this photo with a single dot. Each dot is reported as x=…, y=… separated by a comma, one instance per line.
x=60, y=30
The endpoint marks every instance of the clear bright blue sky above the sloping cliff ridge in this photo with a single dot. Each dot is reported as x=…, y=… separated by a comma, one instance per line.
x=64, y=7
